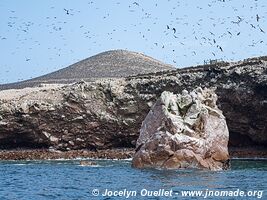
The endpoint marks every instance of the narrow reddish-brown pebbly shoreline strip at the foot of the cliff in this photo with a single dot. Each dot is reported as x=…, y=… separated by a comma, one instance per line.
x=118, y=154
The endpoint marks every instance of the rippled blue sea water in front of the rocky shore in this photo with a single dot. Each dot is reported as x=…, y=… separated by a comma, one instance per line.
x=66, y=179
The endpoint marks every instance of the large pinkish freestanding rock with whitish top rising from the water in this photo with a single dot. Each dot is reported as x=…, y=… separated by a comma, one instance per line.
x=186, y=130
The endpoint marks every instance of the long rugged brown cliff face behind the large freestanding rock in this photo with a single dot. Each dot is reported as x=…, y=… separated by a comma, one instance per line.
x=108, y=113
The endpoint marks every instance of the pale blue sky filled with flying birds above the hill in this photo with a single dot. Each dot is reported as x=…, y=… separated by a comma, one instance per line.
x=39, y=37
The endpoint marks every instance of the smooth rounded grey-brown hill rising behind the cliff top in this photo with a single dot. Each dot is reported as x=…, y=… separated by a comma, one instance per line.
x=109, y=64
